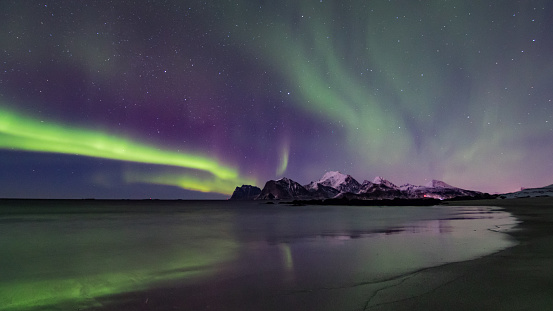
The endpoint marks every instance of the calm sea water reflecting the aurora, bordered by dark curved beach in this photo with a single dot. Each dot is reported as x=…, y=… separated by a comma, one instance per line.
x=224, y=255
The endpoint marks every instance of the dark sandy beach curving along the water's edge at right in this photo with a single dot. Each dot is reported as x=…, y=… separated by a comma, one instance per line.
x=518, y=278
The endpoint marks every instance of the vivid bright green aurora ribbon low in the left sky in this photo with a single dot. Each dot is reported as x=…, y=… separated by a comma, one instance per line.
x=18, y=132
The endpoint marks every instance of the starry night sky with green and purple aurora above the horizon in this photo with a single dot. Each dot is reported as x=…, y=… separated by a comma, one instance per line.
x=189, y=99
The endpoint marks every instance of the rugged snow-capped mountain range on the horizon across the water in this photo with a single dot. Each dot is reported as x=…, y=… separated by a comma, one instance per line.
x=337, y=185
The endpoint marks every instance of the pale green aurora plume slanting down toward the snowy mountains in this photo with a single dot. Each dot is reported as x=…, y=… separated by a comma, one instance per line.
x=320, y=66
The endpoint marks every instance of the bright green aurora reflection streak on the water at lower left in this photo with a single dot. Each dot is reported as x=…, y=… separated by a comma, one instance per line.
x=82, y=290
